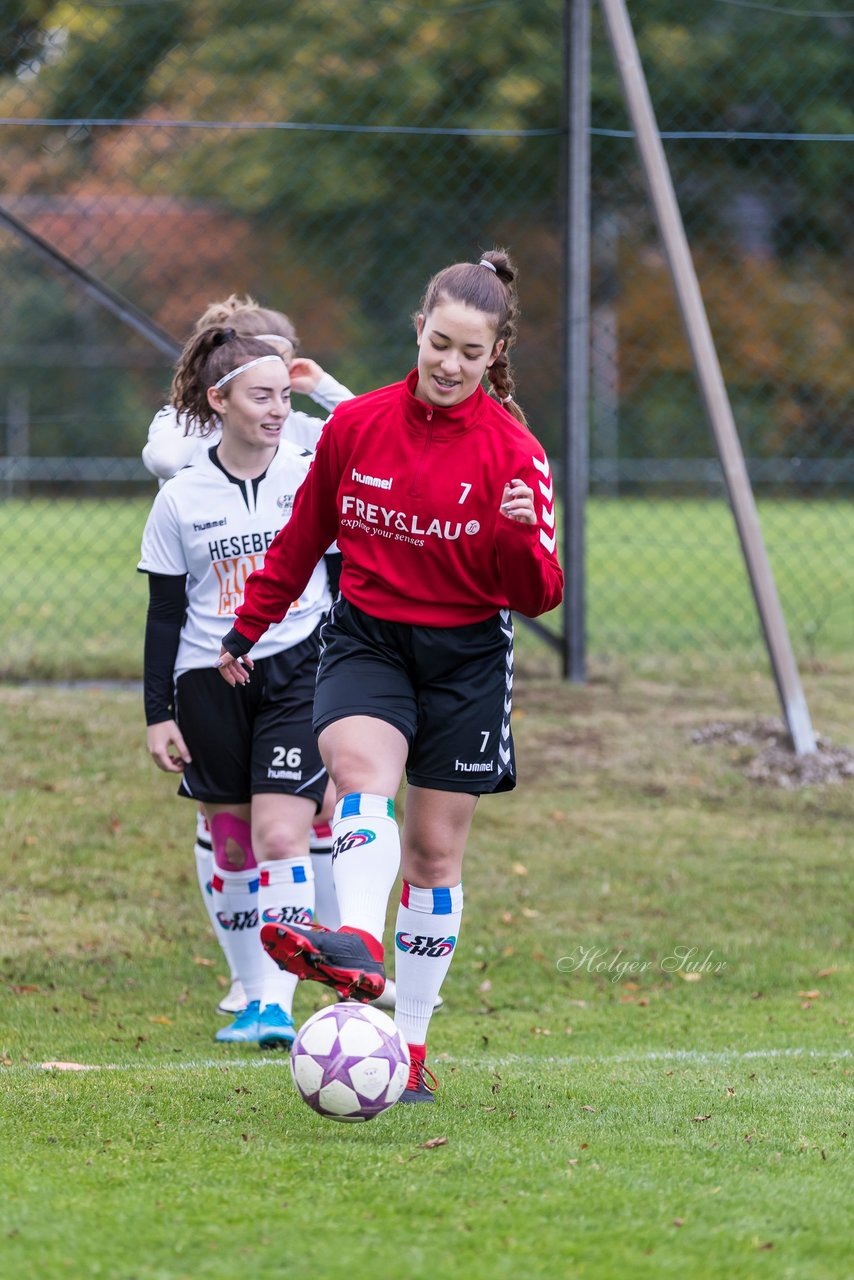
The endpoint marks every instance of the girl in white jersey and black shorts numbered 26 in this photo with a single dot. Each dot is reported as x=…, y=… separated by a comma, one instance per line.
x=209, y=528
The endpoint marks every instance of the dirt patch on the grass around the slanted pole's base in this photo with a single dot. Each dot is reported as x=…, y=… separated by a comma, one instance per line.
x=770, y=758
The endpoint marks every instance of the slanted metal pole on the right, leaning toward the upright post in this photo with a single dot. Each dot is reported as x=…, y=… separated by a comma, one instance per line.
x=709, y=373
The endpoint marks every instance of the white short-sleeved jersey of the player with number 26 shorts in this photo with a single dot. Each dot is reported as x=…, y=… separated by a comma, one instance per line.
x=217, y=529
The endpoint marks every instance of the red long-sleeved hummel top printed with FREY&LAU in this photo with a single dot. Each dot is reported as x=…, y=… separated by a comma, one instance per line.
x=412, y=493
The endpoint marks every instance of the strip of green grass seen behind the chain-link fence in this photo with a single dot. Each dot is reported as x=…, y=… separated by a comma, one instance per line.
x=664, y=578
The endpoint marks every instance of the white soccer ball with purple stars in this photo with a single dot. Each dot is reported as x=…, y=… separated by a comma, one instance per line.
x=350, y=1063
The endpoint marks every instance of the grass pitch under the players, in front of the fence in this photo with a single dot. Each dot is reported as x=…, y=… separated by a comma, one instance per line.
x=688, y=1117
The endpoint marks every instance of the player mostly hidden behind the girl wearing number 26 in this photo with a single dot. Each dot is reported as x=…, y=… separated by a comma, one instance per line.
x=173, y=442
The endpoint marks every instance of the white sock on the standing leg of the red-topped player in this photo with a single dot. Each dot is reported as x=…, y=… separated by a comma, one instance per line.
x=426, y=936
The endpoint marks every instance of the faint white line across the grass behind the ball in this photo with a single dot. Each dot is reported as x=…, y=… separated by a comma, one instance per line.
x=687, y=1058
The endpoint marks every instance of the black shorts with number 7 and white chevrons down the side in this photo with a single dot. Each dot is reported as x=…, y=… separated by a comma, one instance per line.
x=447, y=689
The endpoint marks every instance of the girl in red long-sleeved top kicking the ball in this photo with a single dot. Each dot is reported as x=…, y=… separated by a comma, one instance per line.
x=444, y=509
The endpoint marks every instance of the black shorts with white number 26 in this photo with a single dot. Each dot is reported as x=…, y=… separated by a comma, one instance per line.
x=254, y=739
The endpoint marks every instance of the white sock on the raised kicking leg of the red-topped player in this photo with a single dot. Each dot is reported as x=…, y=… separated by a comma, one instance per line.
x=367, y=858
